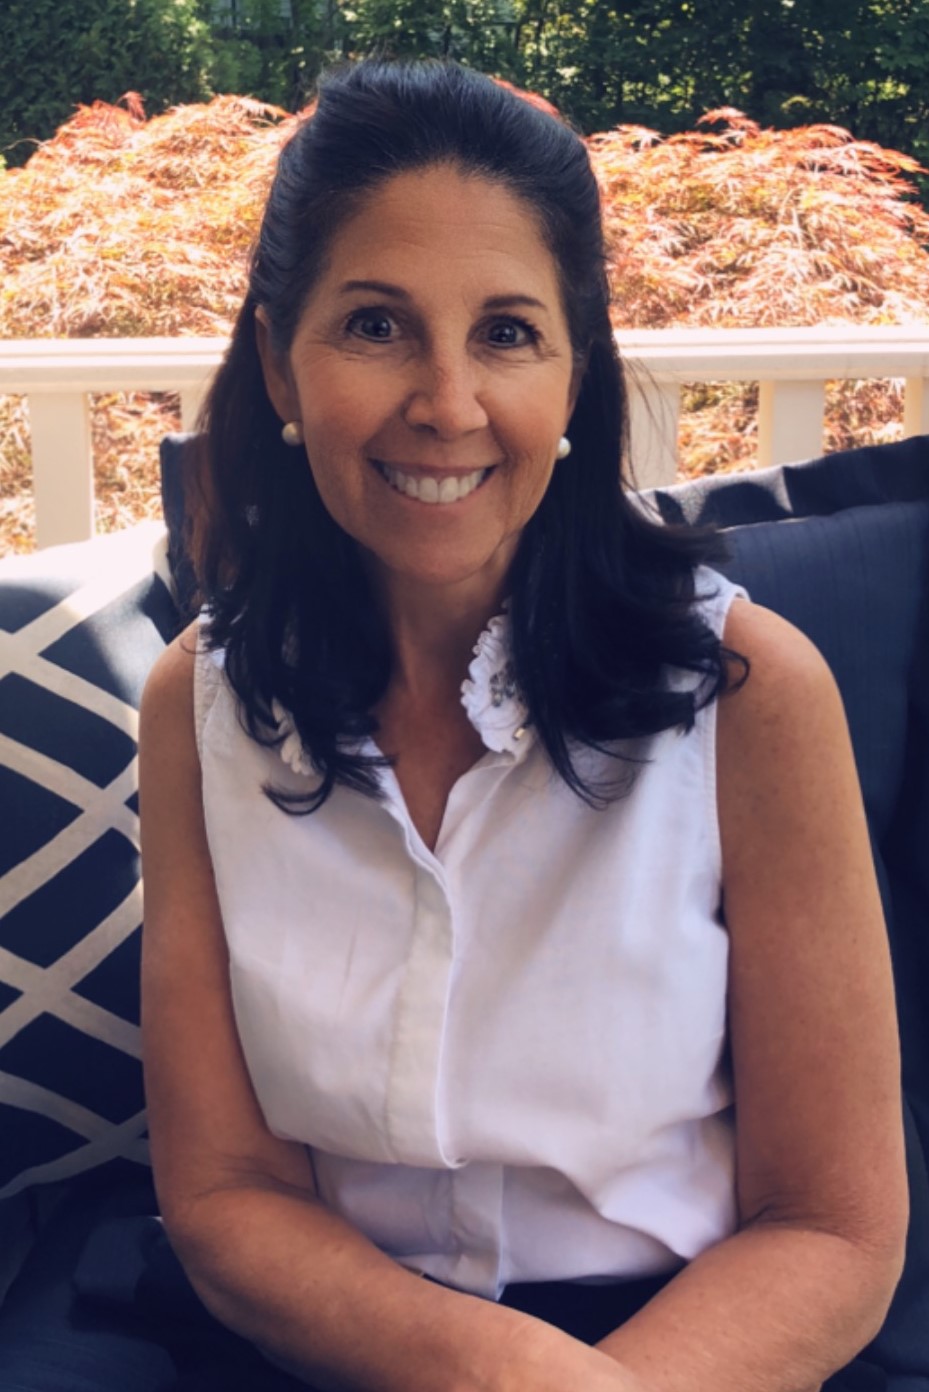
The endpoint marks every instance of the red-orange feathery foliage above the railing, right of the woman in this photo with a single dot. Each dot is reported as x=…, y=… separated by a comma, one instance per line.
x=736, y=226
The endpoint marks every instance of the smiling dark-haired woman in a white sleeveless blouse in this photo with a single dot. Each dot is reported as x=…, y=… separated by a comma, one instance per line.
x=442, y=804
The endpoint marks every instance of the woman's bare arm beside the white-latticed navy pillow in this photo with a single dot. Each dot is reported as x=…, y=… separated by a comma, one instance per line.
x=240, y=1206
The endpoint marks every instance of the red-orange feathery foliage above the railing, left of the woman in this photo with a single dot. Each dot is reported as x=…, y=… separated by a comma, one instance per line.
x=125, y=228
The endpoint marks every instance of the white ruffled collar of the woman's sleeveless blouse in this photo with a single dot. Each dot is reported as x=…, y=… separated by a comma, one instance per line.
x=490, y=695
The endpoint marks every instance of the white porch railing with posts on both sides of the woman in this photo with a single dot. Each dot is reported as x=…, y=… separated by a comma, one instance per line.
x=792, y=365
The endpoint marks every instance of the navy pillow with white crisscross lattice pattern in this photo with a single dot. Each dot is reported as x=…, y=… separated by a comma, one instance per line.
x=80, y=628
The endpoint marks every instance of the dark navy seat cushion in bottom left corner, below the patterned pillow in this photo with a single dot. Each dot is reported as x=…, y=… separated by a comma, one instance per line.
x=104, y=1306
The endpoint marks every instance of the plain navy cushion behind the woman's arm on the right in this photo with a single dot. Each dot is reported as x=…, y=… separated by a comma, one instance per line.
x=841, y=548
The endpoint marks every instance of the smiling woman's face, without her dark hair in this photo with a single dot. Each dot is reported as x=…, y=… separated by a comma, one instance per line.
x=434, y=377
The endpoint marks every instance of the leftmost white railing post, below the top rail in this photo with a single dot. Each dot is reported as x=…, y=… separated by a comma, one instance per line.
x=62, y=467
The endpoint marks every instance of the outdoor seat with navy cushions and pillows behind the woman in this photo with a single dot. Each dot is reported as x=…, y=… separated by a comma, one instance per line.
x=839, y=546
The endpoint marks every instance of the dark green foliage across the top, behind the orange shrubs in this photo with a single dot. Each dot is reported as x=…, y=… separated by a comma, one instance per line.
x=863, y=65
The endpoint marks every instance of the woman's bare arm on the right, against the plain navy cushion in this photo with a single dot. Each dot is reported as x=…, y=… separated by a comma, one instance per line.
x=822, y=1192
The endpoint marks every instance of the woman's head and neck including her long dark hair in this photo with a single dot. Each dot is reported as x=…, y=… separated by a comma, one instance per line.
x=430, y=301
